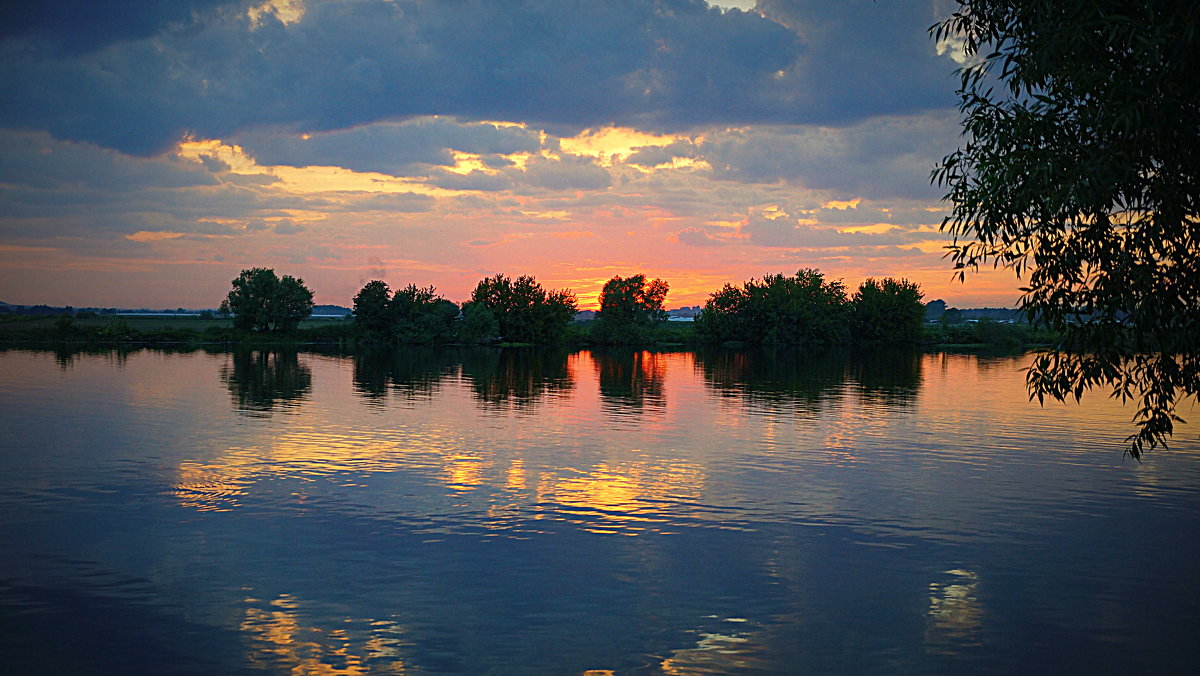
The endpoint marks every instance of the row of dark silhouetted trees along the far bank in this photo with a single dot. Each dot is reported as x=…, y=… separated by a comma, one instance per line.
x=801, y=310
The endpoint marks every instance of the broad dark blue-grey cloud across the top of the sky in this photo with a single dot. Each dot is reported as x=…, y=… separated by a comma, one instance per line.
x=659, y=65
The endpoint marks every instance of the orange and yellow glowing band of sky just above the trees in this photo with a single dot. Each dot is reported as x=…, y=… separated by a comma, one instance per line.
x=500, y=231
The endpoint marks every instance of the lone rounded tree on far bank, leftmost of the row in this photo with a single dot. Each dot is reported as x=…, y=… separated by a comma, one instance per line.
x=262, y=302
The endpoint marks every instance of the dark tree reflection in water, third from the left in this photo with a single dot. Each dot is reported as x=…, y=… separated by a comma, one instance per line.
x=518, y=378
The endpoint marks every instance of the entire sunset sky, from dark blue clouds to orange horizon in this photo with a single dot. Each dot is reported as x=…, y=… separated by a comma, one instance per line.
x=149, y=151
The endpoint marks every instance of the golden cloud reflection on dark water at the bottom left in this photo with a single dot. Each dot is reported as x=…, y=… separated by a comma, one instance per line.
x=279, y=641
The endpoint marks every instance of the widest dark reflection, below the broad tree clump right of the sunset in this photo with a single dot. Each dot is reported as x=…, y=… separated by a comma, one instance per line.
x=788, y=379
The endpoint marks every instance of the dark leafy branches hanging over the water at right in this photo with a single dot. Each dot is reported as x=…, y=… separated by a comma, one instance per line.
x=1081, y=172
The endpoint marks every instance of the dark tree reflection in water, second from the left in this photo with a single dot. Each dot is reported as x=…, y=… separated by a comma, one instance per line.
x=411, y=373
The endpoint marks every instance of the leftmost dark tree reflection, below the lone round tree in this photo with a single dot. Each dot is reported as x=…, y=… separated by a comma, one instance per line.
x=261, y=381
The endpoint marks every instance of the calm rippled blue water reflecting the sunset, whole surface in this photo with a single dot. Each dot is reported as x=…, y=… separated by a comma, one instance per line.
x=541, y=512
